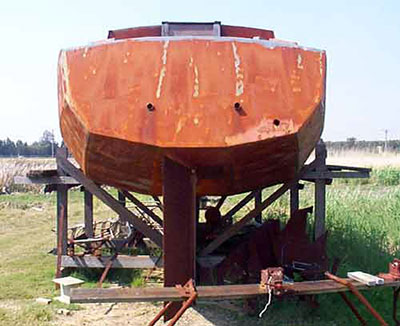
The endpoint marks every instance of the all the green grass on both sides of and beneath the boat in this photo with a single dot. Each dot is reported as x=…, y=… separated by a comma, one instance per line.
x=363, y=219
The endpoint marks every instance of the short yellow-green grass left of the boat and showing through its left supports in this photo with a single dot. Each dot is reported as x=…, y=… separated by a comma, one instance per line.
x=26, y=269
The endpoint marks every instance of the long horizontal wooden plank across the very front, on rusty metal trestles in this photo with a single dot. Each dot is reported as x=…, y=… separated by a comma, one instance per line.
x=221, y=292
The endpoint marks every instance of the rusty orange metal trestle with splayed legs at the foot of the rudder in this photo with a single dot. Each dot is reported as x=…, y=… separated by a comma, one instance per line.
x=187, y=291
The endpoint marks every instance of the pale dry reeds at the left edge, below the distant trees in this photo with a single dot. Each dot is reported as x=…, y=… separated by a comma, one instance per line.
x=11, y=167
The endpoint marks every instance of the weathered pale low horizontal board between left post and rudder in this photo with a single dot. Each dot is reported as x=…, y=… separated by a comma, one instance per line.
x=121, y=261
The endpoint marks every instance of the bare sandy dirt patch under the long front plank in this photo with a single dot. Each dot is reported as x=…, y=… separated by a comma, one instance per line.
x=203, y=314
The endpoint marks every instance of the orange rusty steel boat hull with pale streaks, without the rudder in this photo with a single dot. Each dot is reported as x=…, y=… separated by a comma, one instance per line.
x=243, y=113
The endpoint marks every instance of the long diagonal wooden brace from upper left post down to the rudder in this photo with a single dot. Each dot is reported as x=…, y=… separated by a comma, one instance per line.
x=110, y=201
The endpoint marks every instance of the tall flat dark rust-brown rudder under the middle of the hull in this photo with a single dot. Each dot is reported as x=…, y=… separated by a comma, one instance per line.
x=179, y=191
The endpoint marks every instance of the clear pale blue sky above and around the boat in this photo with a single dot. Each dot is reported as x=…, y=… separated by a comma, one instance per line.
x=361, y=38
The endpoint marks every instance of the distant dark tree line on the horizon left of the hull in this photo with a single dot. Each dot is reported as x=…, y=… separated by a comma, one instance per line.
x=44, y=147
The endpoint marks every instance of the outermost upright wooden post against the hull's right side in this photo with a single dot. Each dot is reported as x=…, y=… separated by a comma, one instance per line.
x=320, y=190
